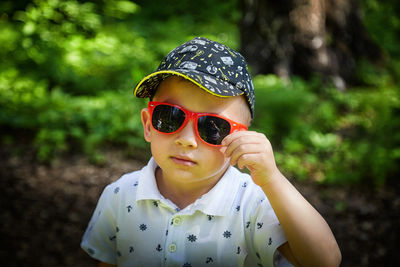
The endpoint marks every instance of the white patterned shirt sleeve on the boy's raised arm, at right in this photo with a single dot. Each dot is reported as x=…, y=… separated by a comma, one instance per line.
x=265, y=234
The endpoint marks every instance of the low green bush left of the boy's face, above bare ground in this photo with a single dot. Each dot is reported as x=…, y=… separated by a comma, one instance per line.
x=81, y=123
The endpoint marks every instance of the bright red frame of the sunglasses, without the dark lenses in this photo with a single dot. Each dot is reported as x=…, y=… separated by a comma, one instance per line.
x=190, y=115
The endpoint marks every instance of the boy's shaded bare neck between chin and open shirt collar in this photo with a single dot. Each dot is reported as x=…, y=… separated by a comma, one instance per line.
x=183, y=194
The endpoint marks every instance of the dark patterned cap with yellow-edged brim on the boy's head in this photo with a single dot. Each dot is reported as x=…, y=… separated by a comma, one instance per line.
x=212, y=66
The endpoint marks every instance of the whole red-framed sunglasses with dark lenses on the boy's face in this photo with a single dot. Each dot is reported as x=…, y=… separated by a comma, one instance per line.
x=210, y=128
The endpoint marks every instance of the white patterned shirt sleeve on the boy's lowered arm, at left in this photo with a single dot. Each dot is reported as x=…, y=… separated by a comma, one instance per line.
x=99, y=238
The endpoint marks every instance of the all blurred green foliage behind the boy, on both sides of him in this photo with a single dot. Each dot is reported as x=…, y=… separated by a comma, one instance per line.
x=68, y=69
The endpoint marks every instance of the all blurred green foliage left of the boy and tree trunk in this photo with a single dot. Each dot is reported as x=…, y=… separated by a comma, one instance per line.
x=68, y=67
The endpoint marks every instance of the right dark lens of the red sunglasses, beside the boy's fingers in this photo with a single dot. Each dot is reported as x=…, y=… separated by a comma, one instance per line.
x=213, y=129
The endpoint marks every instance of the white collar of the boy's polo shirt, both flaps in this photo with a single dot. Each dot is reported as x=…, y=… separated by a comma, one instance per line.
x=217, y=202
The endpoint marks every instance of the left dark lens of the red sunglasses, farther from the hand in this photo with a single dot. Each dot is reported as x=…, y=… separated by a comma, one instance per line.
x=167, y=119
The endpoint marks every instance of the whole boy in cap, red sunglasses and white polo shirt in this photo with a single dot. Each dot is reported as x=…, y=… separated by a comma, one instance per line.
x=189, y=206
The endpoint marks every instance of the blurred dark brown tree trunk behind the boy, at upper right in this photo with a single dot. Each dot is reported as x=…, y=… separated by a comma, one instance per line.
x=304, y=37
